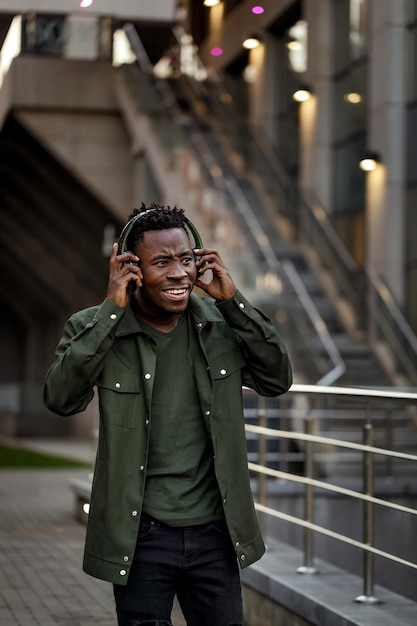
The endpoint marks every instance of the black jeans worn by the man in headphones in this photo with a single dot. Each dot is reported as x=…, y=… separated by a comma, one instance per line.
x=197, y=563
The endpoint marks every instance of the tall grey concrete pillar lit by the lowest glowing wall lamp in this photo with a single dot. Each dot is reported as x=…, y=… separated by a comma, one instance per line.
x=385, y=201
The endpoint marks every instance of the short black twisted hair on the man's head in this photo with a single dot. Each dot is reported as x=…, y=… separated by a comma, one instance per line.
x=155, y=217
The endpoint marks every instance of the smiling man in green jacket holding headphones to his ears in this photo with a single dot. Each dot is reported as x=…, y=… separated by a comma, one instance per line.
x=171, y=508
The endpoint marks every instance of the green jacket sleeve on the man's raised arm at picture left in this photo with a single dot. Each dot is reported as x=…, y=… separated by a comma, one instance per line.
x=86, y=338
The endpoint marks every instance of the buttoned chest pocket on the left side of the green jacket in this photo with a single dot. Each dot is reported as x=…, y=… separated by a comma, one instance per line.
x=119, y=395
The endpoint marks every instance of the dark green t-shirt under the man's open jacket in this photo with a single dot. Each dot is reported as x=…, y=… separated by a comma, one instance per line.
x=181, y=488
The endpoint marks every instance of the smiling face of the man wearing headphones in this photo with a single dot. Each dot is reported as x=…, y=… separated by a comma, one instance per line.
x=169, y=273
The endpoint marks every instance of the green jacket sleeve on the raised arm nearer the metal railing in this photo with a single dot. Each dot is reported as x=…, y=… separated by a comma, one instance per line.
x=268, y=368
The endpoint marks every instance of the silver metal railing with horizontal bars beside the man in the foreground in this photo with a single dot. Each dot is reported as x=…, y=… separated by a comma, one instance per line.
x=367, y=497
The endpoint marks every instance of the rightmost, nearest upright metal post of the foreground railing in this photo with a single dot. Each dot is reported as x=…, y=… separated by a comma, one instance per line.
x=368, y=520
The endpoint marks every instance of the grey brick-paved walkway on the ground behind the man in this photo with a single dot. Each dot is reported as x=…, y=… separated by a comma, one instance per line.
x=41, y=547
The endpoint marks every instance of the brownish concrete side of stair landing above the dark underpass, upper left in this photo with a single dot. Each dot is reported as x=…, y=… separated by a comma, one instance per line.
x=71, y=107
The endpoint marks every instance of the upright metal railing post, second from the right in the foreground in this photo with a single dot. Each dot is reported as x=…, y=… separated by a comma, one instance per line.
x=308, y=567
